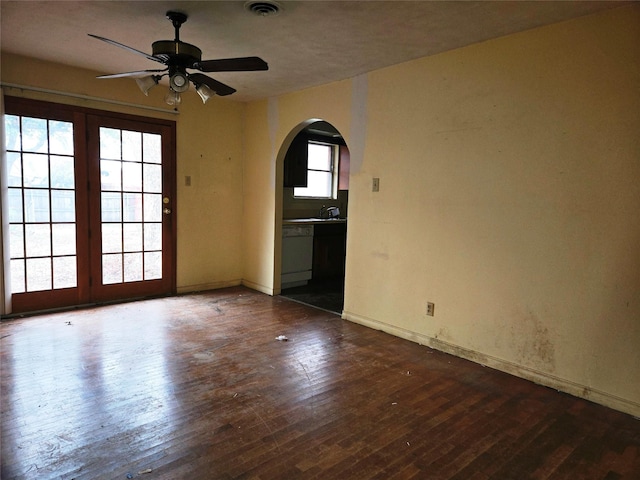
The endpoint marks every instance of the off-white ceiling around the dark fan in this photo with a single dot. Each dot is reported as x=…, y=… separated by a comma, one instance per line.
x=308, y=43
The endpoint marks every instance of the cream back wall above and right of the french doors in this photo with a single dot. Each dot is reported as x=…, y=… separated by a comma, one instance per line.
x=209, y=149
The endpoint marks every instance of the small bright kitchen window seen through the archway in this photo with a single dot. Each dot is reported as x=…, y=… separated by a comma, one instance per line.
x=321, y=172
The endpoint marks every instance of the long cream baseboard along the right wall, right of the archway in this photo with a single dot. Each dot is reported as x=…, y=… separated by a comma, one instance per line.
x=522, y=371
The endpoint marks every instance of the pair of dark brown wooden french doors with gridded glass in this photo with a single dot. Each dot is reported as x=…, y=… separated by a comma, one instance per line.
x=90, y=205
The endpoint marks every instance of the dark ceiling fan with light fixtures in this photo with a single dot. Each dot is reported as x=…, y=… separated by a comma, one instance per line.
x=178, y=56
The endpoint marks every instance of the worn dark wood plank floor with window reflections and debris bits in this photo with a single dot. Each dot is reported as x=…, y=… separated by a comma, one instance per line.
x=197, y=387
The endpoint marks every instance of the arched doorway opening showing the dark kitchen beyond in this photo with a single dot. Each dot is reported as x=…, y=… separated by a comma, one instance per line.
x=315, y=197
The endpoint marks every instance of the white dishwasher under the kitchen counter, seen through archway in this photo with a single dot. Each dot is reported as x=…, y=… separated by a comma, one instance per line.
x=297, y=255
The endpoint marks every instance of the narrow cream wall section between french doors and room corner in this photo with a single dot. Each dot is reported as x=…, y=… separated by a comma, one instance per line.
x=210, y=210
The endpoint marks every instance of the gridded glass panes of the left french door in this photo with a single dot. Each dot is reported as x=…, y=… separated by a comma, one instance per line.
x=42, y=230
